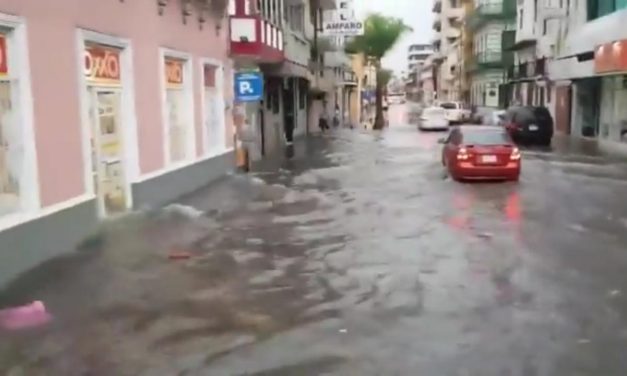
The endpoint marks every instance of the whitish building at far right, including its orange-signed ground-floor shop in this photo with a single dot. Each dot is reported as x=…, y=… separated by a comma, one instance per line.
x=590, y=70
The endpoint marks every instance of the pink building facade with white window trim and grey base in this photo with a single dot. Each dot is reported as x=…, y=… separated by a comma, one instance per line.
x=63, y=209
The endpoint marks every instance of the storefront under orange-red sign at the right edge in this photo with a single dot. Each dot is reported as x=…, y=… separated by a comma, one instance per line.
x=610, y=66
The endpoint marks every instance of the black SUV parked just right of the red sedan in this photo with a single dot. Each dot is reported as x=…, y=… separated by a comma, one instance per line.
x=529, y=125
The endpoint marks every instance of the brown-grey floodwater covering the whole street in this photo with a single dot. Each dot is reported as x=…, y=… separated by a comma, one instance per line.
x=356, y=257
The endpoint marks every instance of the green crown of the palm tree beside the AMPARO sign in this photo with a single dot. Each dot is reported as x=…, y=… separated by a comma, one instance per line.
x=380, y=35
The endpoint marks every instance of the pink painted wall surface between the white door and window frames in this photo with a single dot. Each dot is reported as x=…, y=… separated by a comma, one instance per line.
x=55, y=84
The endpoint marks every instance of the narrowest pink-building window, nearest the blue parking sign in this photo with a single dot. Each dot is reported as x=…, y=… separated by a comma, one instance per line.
x=214, y=131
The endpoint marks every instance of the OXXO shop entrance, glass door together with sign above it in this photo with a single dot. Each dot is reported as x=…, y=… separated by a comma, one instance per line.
x=105, y=128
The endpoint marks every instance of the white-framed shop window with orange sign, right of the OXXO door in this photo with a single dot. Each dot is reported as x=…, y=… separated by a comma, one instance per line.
x=179, y=110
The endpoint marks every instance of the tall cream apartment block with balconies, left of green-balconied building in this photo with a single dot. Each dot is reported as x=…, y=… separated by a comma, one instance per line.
x=447, y=26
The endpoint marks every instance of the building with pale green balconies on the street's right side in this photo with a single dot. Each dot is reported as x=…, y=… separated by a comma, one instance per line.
x=493, y=26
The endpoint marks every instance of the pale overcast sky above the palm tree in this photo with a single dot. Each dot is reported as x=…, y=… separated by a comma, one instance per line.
x=415, y=13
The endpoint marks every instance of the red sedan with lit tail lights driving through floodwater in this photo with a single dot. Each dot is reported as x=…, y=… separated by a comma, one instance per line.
x=478, y=152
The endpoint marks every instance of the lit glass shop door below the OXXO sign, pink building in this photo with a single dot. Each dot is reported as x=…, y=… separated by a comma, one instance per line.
x=107, y=149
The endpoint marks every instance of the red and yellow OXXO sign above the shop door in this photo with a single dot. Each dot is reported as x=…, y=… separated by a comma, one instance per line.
x=102, y=64
